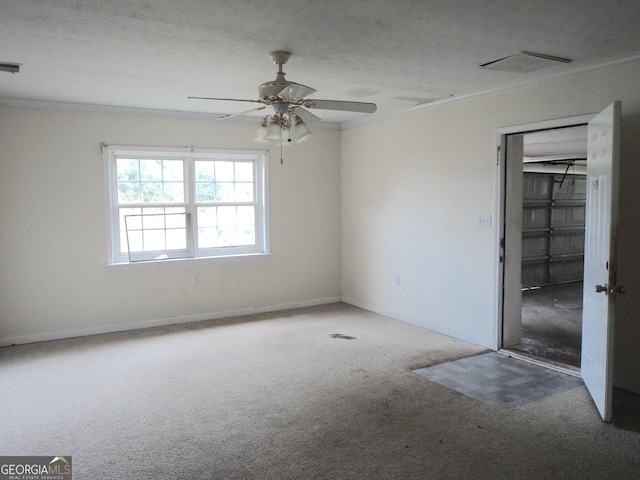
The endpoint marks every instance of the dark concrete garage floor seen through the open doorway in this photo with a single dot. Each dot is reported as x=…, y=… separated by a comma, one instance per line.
x=552, y=323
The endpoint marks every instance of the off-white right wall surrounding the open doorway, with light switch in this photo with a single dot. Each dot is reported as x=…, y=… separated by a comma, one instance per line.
x=412, y=190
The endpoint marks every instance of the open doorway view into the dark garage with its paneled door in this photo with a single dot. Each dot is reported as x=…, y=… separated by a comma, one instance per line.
x=553, y=202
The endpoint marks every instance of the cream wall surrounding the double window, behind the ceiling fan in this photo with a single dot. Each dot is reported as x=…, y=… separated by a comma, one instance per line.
x=53, y=277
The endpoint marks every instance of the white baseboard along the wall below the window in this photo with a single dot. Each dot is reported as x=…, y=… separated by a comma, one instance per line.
x=161, y=322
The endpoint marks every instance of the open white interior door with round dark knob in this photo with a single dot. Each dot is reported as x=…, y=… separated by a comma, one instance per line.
x=600, y=286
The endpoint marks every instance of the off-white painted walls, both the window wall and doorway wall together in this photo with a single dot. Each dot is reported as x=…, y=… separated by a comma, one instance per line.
x=402, y=202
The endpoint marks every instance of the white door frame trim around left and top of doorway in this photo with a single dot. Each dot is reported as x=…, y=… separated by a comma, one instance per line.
x=501, y=192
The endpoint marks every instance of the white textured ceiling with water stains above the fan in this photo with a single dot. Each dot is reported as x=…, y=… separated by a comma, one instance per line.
x=152, y=54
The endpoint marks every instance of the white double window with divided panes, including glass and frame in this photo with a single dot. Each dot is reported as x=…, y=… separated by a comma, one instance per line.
x=177, y=203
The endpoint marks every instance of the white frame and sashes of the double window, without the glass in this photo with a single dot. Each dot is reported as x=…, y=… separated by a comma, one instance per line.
x=188, y=155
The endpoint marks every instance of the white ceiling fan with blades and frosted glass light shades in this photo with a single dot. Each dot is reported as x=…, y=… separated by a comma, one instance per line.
x=287, y=124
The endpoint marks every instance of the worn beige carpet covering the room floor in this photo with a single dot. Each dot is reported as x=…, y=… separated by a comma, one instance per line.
x=318, y=393
